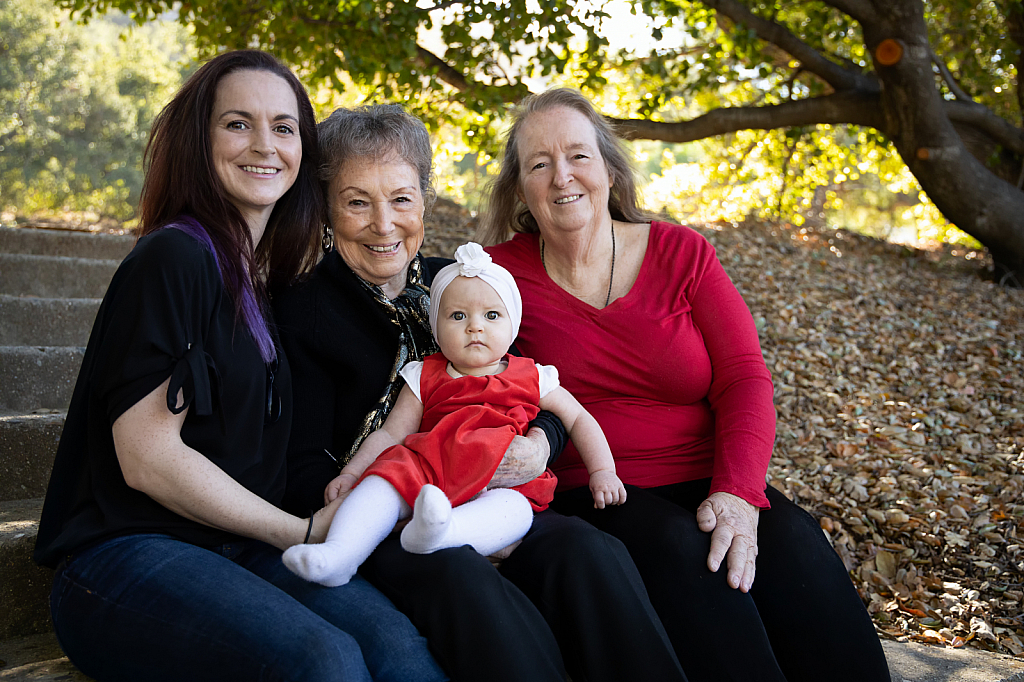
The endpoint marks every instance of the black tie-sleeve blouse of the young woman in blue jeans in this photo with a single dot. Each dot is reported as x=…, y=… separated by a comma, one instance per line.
x=166, y=314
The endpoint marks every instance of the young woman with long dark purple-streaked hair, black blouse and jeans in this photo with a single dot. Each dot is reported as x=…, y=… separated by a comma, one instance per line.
x=162, y=516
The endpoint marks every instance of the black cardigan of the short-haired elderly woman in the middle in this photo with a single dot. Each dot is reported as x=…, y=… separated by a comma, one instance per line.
x=342, y=348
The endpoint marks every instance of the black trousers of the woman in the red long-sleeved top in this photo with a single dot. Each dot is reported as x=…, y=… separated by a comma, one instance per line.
x=802, y=620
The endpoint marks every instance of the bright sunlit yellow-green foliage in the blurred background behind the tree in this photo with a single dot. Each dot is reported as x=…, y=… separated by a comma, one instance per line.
x=78, y=102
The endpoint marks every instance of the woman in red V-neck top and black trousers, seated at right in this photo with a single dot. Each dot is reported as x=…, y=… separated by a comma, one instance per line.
x=653, y=338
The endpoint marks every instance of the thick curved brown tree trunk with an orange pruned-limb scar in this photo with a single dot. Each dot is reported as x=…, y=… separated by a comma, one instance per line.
x=968, y=194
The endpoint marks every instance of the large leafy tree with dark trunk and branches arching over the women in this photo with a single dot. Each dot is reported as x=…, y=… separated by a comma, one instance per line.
x=765, y=79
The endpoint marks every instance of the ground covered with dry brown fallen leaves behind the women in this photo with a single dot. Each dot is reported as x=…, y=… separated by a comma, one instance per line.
x=899, y=381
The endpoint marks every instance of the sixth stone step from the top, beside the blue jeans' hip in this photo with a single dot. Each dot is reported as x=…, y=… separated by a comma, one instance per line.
x=25, y=588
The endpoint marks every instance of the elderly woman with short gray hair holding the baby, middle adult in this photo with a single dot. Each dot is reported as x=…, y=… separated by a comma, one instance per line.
x=569, y=599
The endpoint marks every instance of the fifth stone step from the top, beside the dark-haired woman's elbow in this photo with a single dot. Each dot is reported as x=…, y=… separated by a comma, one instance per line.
x=28, y=445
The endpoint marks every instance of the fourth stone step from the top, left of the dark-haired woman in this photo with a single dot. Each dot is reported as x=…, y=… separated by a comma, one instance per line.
x=38, y=377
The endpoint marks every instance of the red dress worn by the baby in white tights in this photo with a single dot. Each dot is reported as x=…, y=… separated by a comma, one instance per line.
x=467, y=425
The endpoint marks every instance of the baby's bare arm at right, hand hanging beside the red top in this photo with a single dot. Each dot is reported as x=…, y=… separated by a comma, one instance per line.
x=591, y=444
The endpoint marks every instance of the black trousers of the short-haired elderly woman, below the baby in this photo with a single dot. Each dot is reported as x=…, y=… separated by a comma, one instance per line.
x=569, y=600
